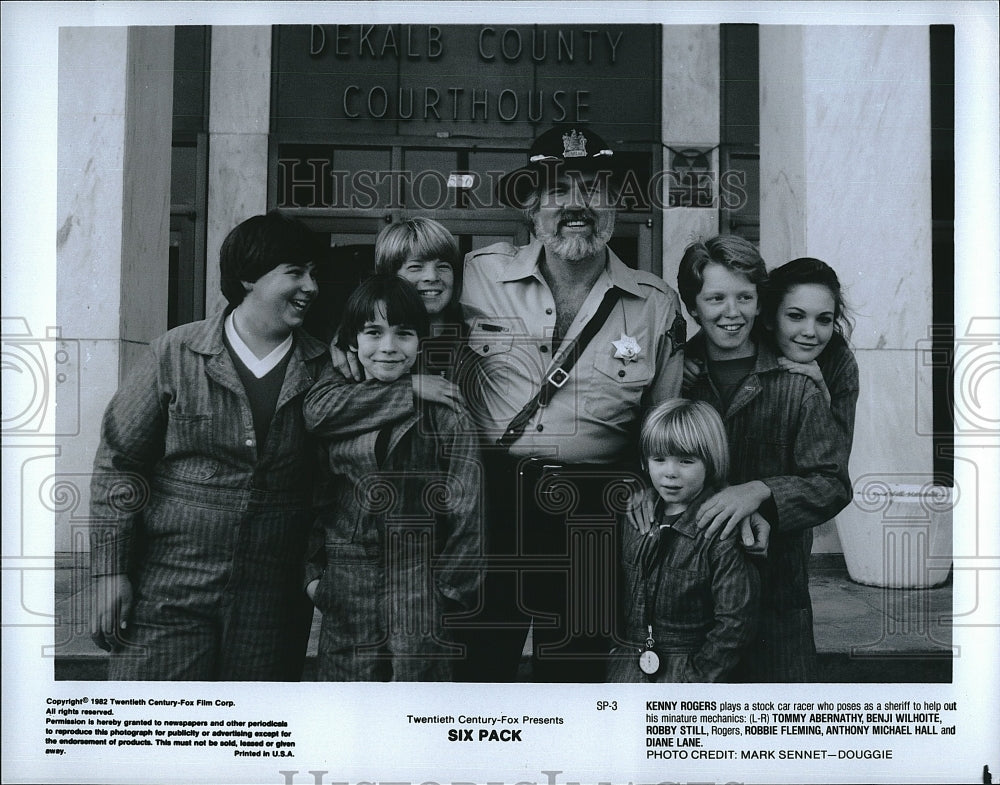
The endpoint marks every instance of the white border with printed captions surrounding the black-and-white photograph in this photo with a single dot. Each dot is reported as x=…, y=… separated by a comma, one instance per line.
x=354, y=733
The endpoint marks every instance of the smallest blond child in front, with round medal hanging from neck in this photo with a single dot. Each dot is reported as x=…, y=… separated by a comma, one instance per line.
x=689, y=603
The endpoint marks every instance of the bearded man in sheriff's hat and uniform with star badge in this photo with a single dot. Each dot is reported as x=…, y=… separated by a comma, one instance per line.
x=571, y=348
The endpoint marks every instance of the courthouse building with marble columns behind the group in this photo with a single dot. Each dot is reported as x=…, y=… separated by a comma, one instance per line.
x=833, y=142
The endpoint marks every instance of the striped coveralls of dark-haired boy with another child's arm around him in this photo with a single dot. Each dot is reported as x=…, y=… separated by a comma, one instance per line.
x=399, y=545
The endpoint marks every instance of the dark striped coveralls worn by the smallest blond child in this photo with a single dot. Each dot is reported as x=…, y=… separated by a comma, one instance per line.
x=700, y=596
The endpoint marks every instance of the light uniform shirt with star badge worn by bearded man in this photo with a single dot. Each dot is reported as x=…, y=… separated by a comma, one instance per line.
x=595, y=416
